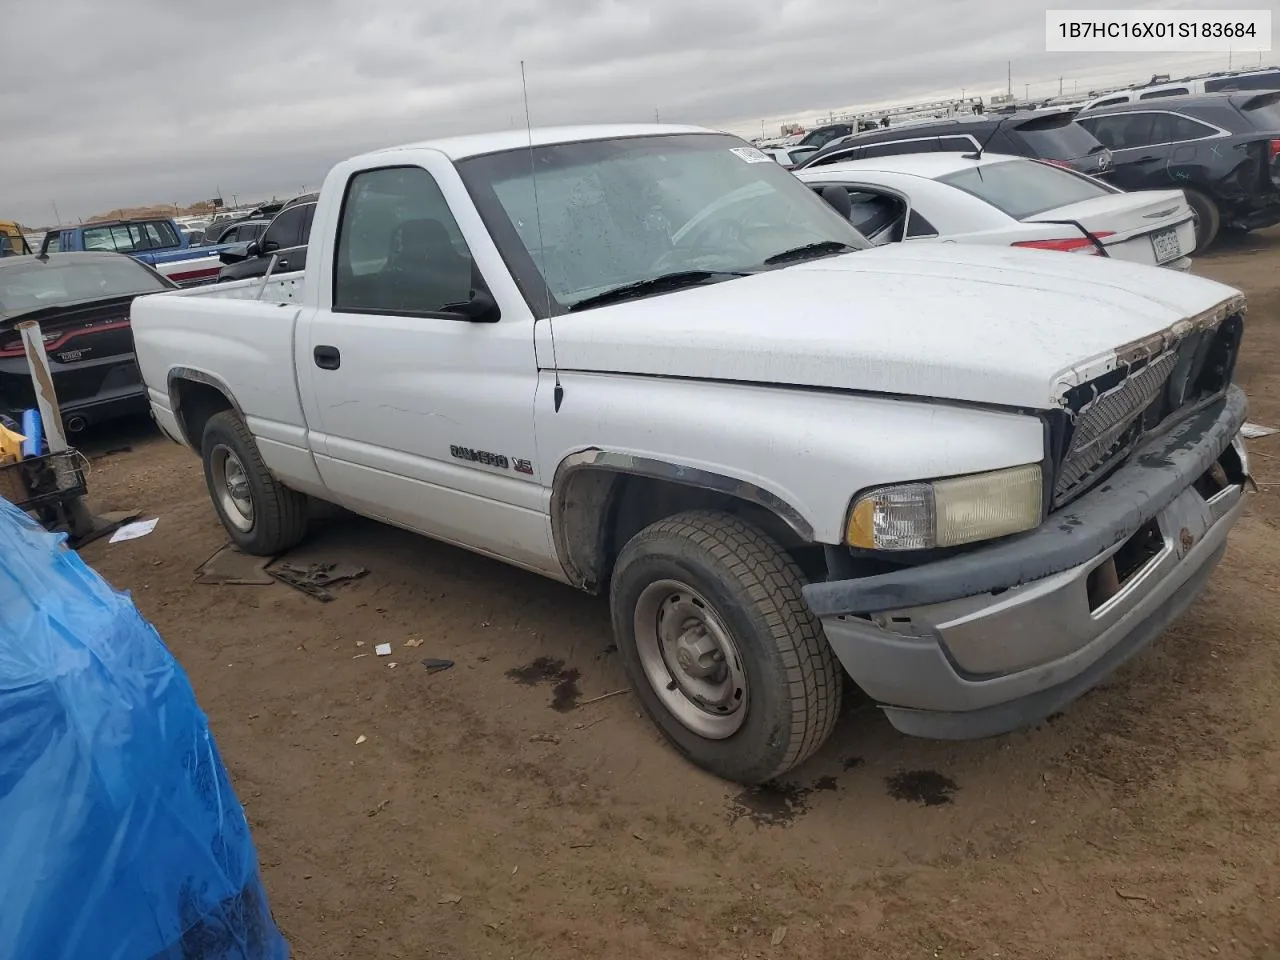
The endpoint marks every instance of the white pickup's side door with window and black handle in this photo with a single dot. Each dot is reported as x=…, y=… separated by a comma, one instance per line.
x=423, y=418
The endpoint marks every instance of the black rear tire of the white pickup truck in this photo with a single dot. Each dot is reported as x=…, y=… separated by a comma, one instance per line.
x=278, y=519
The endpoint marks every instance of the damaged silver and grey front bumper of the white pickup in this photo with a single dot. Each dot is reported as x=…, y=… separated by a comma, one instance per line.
x=1003, y=637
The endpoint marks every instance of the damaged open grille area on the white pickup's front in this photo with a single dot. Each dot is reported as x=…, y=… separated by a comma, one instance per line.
x=1107, y=418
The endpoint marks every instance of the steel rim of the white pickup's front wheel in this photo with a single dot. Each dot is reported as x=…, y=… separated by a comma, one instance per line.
x=691, y=660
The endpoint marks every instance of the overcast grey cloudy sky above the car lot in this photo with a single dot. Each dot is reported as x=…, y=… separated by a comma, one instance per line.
x=117, y=103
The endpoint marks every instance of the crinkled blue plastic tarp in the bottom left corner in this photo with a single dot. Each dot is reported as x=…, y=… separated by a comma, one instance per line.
x=121, y=836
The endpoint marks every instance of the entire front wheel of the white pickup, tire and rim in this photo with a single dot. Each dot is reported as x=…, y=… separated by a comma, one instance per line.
x=723, y=651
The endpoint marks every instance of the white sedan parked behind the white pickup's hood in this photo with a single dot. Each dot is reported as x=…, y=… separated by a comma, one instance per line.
x=1007, y=202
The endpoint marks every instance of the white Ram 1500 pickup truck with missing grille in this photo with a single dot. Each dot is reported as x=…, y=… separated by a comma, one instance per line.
x=650, y=362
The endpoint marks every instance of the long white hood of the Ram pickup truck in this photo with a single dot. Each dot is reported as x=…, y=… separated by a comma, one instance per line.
x=943, y=321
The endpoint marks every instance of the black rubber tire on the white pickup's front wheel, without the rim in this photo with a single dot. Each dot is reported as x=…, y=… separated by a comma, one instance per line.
x=793, y=680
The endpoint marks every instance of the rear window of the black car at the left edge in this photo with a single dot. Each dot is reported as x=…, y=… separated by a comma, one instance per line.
x=35, y=285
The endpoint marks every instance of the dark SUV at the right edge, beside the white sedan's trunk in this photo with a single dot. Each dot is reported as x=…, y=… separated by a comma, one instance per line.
x=1222, y=149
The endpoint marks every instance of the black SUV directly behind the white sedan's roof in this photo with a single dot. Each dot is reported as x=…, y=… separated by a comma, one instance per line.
x=1044, y=136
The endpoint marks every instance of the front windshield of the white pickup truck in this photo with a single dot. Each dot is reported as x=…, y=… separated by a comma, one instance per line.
x=623, y=212
